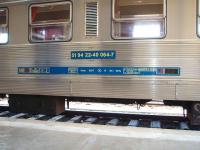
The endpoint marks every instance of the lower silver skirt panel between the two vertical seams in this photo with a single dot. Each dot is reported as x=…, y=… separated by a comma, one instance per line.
x=123, y=89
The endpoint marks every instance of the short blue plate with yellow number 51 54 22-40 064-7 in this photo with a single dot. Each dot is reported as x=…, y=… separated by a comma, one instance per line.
x=103, y=54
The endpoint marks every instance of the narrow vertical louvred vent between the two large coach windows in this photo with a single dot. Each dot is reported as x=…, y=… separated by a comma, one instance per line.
x=91, y=19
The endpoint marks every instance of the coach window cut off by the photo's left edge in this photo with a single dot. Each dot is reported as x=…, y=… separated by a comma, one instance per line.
x=3, y=25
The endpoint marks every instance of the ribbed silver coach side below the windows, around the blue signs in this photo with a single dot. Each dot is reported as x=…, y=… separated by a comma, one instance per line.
x=167, y=54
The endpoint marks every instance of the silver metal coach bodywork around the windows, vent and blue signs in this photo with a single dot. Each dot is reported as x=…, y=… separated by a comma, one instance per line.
x=180, y=47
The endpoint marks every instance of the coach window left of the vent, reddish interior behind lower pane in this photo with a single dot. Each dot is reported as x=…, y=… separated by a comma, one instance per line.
x=51, y=22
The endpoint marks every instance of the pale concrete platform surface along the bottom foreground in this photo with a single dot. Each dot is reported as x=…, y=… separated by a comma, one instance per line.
x=45, y=135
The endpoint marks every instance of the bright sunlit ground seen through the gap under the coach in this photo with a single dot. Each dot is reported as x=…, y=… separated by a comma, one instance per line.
x=154, y=109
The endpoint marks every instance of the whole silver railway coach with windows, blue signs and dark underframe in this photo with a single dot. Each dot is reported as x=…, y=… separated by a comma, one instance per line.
x=109, y=50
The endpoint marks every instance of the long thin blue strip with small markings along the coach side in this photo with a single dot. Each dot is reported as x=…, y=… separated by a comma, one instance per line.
x=113, y=71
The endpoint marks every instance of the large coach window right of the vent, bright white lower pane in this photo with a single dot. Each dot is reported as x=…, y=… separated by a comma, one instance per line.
x=138, y=19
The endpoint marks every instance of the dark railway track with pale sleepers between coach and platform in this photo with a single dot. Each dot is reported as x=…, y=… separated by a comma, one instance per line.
x=109, y=119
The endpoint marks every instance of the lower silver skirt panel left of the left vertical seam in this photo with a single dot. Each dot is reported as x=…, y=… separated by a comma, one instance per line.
x=35, y=86
